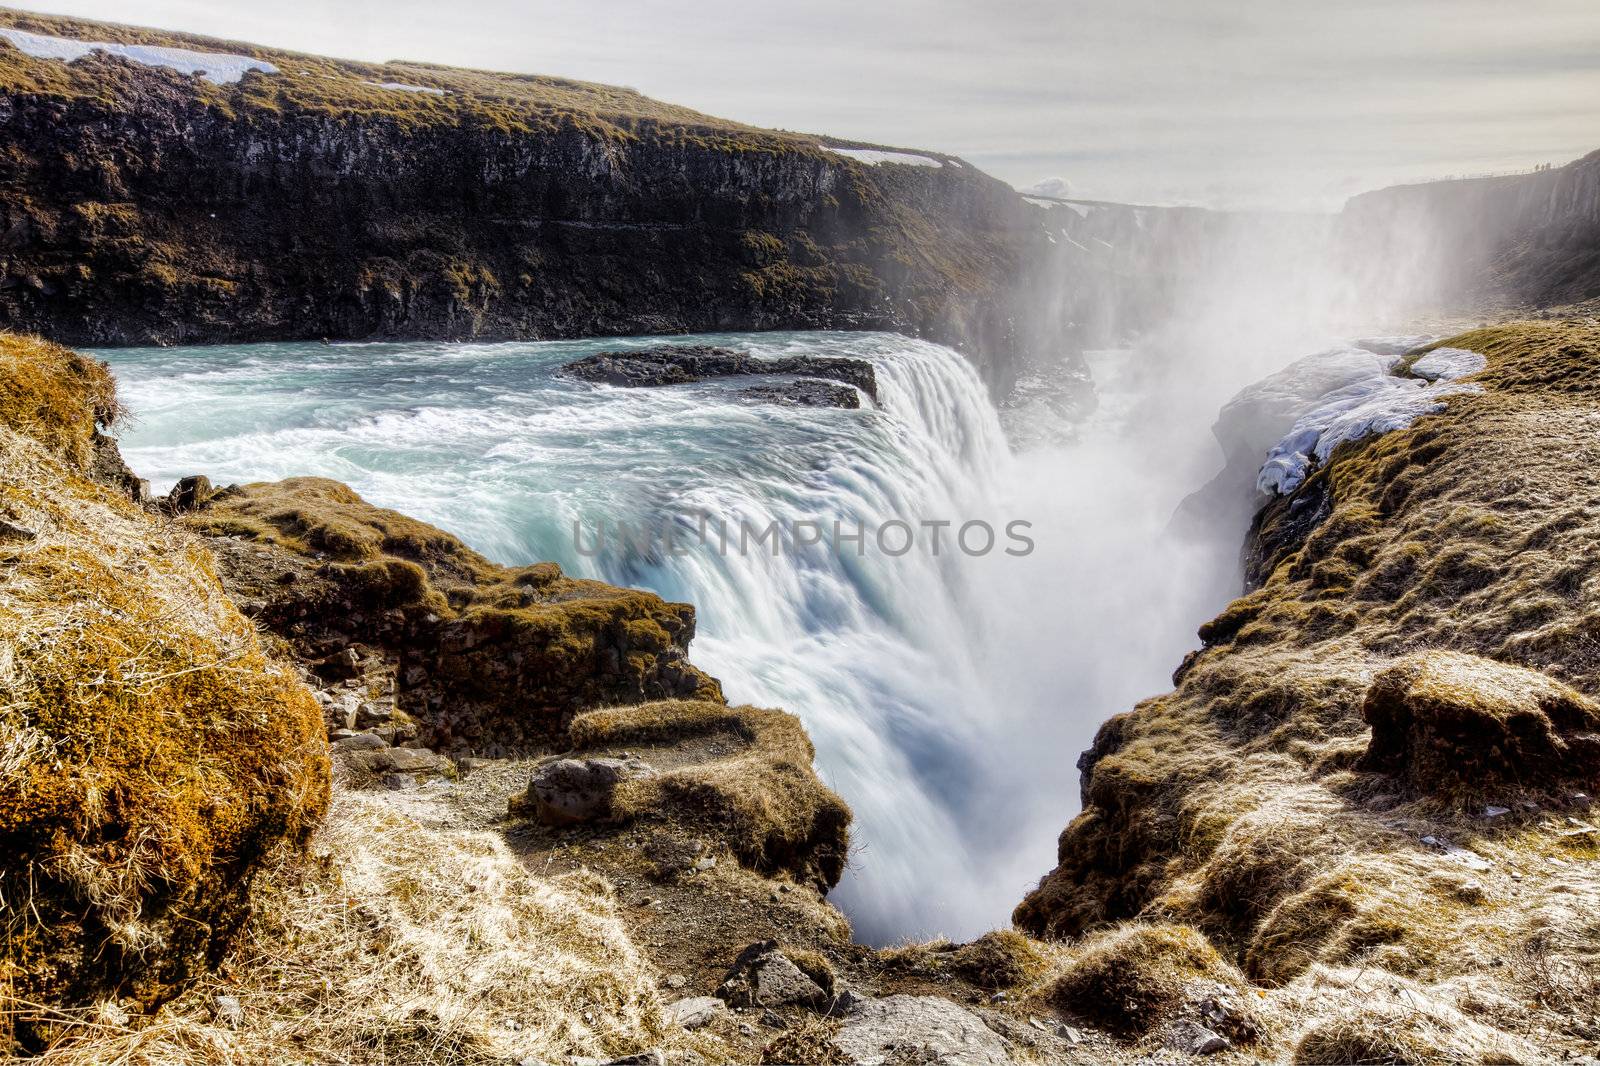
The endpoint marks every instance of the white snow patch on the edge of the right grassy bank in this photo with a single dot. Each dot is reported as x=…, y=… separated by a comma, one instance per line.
x=1375, y=403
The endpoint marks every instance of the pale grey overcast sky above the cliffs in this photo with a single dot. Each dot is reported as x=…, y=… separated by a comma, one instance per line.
x=1263, y=103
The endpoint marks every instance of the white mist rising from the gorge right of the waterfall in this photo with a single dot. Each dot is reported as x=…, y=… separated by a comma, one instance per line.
x=1138, y=515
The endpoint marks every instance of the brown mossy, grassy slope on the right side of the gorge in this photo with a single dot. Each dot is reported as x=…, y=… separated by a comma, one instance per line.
x=1242, y=806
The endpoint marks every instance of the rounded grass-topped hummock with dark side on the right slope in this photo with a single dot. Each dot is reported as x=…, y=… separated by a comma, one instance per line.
x=1446, y=721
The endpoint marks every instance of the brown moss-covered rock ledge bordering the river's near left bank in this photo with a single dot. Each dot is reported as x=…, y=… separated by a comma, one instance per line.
x=487, y=659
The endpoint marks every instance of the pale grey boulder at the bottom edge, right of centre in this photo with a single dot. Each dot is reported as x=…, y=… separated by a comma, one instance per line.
x=924, y=1030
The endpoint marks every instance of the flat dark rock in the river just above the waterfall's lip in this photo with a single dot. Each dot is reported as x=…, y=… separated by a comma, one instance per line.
x=687, y=364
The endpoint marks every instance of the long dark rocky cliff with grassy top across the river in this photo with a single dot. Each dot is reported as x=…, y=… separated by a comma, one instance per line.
x=334, y=199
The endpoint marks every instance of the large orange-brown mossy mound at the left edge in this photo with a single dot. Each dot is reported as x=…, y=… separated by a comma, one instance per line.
x=153, y=756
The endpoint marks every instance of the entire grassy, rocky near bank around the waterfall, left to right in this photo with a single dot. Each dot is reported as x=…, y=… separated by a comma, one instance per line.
x=438, y=811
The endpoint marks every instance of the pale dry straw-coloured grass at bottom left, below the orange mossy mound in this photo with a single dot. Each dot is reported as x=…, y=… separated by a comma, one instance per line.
x=407, y=944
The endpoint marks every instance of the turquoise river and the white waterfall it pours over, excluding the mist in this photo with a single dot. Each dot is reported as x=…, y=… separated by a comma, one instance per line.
x=878, y=654
